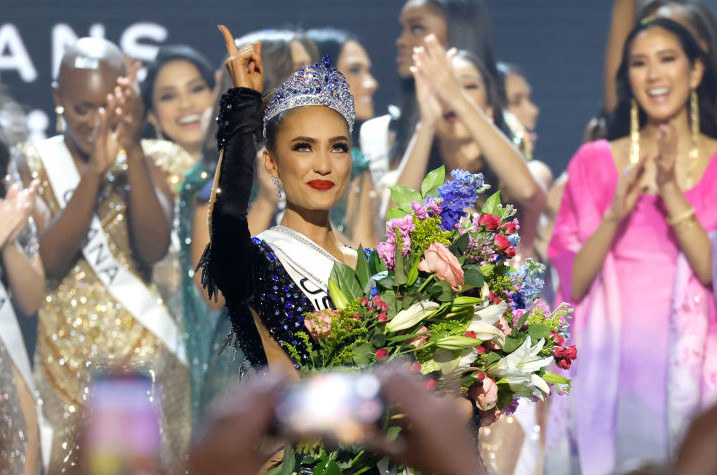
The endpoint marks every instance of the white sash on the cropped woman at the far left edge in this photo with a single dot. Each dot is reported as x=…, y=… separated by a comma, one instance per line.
x=11, y=337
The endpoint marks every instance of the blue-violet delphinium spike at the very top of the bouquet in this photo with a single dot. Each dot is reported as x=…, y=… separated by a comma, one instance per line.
x=458, y=194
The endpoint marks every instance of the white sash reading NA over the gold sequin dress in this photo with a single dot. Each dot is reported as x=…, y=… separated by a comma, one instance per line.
x=124, y=286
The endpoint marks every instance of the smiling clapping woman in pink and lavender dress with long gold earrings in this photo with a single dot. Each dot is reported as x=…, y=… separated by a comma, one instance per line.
x=633, y=251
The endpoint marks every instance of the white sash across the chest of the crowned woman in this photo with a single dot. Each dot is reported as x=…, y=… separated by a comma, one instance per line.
x=308, y=265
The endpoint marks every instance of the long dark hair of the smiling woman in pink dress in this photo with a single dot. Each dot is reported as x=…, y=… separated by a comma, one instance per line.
x=619, y=125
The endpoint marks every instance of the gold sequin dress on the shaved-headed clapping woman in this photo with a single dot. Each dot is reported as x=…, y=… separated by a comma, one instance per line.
x=83, y=329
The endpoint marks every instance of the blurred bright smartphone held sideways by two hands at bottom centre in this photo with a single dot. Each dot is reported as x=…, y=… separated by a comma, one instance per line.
x=338, y=407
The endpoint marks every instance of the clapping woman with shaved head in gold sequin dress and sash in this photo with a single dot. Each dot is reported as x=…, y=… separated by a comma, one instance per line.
x=107, y=219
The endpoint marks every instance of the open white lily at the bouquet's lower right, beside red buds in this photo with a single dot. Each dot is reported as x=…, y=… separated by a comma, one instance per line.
x=518, y=369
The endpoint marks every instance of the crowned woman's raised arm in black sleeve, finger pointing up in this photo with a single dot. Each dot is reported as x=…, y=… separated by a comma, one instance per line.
x=226, y=261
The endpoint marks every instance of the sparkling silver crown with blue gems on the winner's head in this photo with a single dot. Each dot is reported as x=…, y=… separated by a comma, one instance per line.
x=317, y=85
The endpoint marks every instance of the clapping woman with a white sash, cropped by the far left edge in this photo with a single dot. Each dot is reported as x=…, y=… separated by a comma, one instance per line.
x=22, y=281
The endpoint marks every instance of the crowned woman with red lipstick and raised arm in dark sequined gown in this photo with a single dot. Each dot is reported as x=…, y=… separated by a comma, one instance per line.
x=270, y=280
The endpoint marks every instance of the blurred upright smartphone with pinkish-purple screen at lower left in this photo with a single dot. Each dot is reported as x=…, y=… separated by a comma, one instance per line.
x=122, y=434
